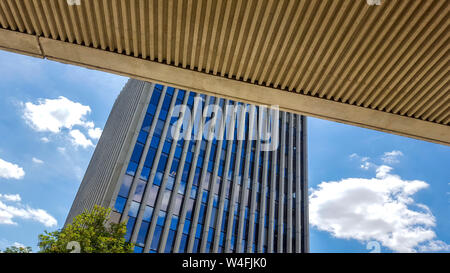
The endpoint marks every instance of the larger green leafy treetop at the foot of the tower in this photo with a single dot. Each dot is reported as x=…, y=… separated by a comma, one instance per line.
x=90, y=232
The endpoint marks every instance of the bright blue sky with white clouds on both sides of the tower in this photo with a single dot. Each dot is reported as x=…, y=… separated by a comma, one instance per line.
x=42, y=164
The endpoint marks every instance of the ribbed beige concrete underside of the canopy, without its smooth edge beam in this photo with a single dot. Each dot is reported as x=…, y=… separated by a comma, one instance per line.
x=392, y=58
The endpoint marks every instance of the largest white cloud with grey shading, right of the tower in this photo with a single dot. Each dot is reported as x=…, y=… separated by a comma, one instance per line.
x=380, y=209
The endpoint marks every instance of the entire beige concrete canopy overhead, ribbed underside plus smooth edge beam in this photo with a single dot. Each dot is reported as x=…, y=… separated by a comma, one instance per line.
x=383, y=67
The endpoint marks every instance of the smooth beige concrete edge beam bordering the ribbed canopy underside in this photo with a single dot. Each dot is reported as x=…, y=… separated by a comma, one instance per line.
x=223, y=87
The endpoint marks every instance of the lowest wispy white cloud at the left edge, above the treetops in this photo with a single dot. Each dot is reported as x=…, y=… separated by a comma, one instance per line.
x=8, y=213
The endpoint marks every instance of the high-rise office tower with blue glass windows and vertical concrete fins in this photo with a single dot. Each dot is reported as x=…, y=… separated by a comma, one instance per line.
x=189, y=172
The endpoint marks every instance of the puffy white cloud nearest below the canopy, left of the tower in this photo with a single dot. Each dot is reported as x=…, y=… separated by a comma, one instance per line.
x=54, y=114
